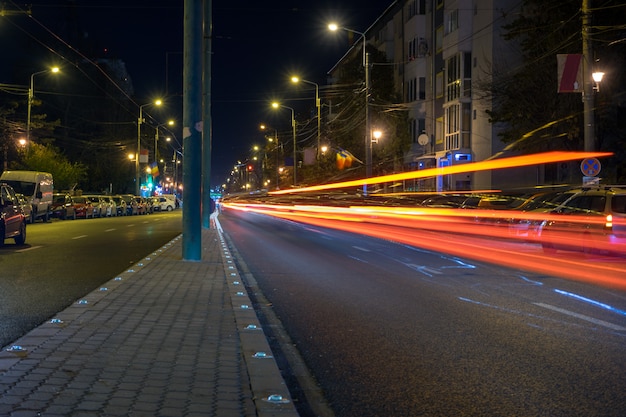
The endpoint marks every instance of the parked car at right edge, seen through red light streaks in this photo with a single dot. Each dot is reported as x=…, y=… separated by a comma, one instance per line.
x=592, y=220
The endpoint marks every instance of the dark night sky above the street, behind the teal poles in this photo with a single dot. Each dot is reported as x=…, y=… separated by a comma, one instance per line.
x=257, y=45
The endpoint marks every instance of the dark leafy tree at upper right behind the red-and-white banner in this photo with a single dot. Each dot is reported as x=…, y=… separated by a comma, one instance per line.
x=534, y=116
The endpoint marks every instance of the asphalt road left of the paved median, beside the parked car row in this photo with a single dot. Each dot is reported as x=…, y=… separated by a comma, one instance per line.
x=64, y=260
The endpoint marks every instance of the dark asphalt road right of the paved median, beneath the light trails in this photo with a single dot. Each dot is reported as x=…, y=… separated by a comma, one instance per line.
x=393, y=330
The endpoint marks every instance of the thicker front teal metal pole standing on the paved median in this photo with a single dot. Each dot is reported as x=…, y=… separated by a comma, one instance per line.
x=192, y=130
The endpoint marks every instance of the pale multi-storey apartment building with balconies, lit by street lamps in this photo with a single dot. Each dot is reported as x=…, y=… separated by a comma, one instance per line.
x=445, y=54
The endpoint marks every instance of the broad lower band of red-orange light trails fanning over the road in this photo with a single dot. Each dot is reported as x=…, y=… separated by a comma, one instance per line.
x=464, y=232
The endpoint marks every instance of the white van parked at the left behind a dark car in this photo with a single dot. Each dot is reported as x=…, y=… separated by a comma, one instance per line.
x=36, y=187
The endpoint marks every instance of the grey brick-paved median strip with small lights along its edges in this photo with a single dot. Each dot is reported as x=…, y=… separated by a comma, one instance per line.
x=164, y=338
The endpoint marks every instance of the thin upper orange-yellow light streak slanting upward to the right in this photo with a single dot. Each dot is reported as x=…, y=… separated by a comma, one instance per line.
x=512, y=162
